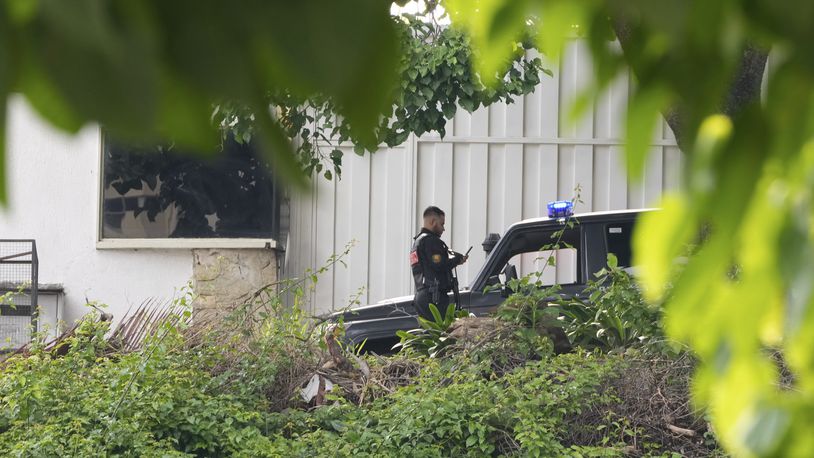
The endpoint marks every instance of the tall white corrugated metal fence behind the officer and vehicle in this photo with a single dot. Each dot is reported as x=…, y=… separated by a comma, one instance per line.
x=496, y=166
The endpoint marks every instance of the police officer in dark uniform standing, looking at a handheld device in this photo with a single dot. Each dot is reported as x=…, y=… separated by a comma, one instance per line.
x=432, y=263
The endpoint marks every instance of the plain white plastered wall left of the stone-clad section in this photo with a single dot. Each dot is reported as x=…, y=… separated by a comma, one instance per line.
x=53, y=184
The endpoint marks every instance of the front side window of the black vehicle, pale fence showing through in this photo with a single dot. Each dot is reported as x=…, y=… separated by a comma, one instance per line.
x=530, y=251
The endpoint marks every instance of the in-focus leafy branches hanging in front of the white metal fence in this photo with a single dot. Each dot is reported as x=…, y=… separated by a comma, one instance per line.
x=436, y=76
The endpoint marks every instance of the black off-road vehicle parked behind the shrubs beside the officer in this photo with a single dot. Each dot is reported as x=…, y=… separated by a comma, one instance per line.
x=585, y=241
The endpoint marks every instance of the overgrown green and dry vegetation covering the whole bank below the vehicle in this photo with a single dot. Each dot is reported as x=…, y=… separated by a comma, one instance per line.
x=173, y=385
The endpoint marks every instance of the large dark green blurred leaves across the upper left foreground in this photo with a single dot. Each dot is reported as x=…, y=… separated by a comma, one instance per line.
x=150, y=71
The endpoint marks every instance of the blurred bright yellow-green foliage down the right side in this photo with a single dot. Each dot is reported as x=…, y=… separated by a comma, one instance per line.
x=748, y=182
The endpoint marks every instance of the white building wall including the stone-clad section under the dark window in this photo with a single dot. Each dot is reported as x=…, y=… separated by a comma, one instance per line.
x=53, y=184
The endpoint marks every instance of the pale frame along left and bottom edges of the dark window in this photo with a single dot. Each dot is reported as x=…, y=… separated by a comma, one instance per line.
x=165, y=243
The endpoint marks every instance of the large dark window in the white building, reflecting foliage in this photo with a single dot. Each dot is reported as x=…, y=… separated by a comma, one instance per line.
x=164, y=192
